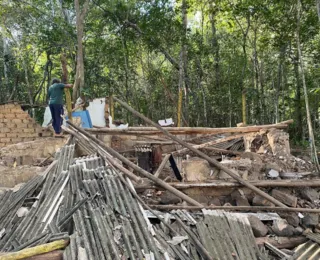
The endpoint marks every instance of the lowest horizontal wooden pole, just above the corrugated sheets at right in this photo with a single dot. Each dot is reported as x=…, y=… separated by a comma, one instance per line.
x=236, y=208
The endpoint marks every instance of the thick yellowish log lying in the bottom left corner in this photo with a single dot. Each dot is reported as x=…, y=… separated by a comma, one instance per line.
x=37, y=250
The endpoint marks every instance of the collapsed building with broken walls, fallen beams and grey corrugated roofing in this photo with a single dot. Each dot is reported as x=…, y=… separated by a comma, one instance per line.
x=137, y=193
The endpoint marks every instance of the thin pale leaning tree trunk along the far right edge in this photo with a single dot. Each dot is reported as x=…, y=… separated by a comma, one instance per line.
x=311, y=135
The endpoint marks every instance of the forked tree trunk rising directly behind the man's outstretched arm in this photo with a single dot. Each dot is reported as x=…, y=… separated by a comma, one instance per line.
x=80, y=16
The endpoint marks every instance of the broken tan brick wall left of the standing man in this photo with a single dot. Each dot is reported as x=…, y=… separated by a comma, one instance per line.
x=17, y=126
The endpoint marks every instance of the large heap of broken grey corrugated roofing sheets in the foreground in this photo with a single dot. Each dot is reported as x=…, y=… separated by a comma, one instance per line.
x=90, y=203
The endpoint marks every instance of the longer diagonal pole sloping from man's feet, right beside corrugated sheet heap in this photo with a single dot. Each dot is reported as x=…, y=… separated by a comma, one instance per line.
x=146, y=174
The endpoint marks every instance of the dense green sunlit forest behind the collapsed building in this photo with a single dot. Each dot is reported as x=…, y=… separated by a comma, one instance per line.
x=228, y=61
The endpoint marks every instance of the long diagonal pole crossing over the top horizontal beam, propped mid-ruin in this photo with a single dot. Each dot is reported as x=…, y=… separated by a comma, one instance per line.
x=204, y=156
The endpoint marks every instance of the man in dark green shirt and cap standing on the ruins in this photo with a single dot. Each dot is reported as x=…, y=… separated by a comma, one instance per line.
x=56, y=104
